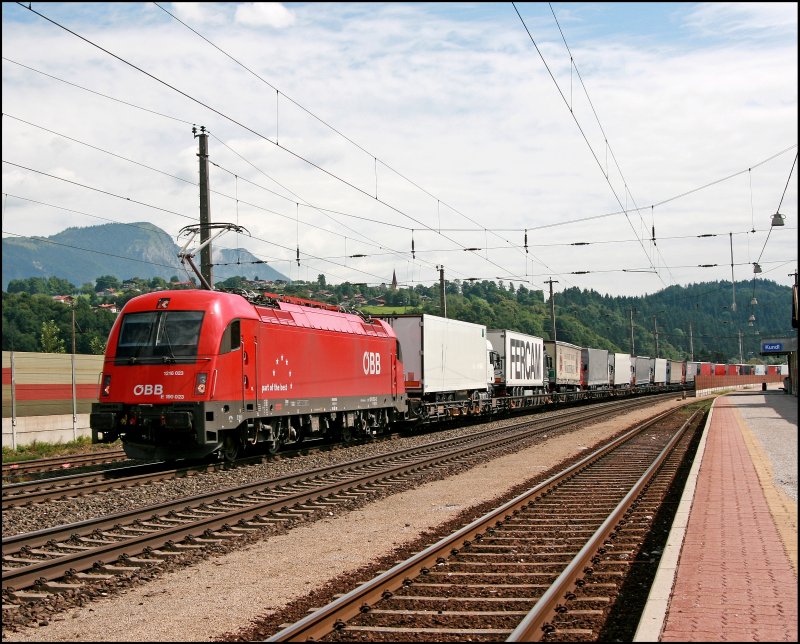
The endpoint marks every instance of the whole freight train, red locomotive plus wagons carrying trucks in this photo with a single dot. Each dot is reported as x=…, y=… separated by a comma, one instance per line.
x=192, y=373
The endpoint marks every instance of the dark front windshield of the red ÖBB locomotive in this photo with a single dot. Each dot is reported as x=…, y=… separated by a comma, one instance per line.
x=162, y=336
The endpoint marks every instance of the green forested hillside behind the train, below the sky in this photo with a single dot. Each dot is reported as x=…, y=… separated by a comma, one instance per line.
x=698, y=317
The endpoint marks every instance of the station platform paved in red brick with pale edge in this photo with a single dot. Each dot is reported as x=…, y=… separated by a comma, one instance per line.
x=729, y=570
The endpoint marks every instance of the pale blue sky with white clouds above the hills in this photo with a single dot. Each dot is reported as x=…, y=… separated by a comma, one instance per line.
x=620, y=147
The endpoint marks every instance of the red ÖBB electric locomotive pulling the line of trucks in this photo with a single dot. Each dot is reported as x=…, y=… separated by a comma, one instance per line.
x=192, y=372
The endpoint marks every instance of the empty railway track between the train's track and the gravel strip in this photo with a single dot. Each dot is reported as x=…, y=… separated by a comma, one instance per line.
x=67, y=557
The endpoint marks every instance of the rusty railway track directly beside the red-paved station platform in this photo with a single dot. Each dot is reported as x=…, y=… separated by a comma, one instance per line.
x=547, y=565
